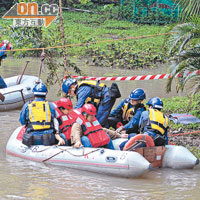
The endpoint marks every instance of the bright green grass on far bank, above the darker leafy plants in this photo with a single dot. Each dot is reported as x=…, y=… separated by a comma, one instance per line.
x=93, y=27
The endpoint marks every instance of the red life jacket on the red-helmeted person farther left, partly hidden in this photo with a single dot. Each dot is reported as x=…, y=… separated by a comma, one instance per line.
x=65, y=123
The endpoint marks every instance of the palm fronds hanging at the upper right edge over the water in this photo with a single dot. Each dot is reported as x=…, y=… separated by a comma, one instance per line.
x=184, y=47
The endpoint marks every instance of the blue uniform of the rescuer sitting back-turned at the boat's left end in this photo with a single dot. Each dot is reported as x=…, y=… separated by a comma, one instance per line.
x=24, y=120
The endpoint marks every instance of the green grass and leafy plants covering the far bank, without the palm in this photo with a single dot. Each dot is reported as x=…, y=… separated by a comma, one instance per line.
x=93, y=28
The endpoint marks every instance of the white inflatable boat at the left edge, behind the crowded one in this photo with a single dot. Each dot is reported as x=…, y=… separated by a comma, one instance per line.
x=17, y=94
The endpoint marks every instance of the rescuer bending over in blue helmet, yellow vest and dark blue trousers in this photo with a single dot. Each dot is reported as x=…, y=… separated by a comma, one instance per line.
x=93, y=92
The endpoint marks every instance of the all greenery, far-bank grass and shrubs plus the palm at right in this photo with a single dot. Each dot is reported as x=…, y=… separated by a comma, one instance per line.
x=97, y=31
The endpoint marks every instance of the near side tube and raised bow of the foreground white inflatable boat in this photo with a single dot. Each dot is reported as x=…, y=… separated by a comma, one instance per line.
x=100, y=160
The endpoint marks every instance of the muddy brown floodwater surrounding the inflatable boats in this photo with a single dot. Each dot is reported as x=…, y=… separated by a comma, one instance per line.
x=23, y=179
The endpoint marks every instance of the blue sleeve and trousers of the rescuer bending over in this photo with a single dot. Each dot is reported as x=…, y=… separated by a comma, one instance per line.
x=105, y=105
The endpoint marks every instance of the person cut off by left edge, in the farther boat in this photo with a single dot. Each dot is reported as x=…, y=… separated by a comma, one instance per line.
x=5, y=45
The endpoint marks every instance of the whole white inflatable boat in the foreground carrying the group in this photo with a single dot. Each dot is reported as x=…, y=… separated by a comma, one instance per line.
x=114, y=162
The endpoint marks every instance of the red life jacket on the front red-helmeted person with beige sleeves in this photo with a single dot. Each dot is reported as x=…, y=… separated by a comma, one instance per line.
x=93, y=130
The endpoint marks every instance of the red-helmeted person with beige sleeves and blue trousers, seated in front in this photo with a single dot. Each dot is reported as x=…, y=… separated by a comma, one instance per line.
x=88, y=132
